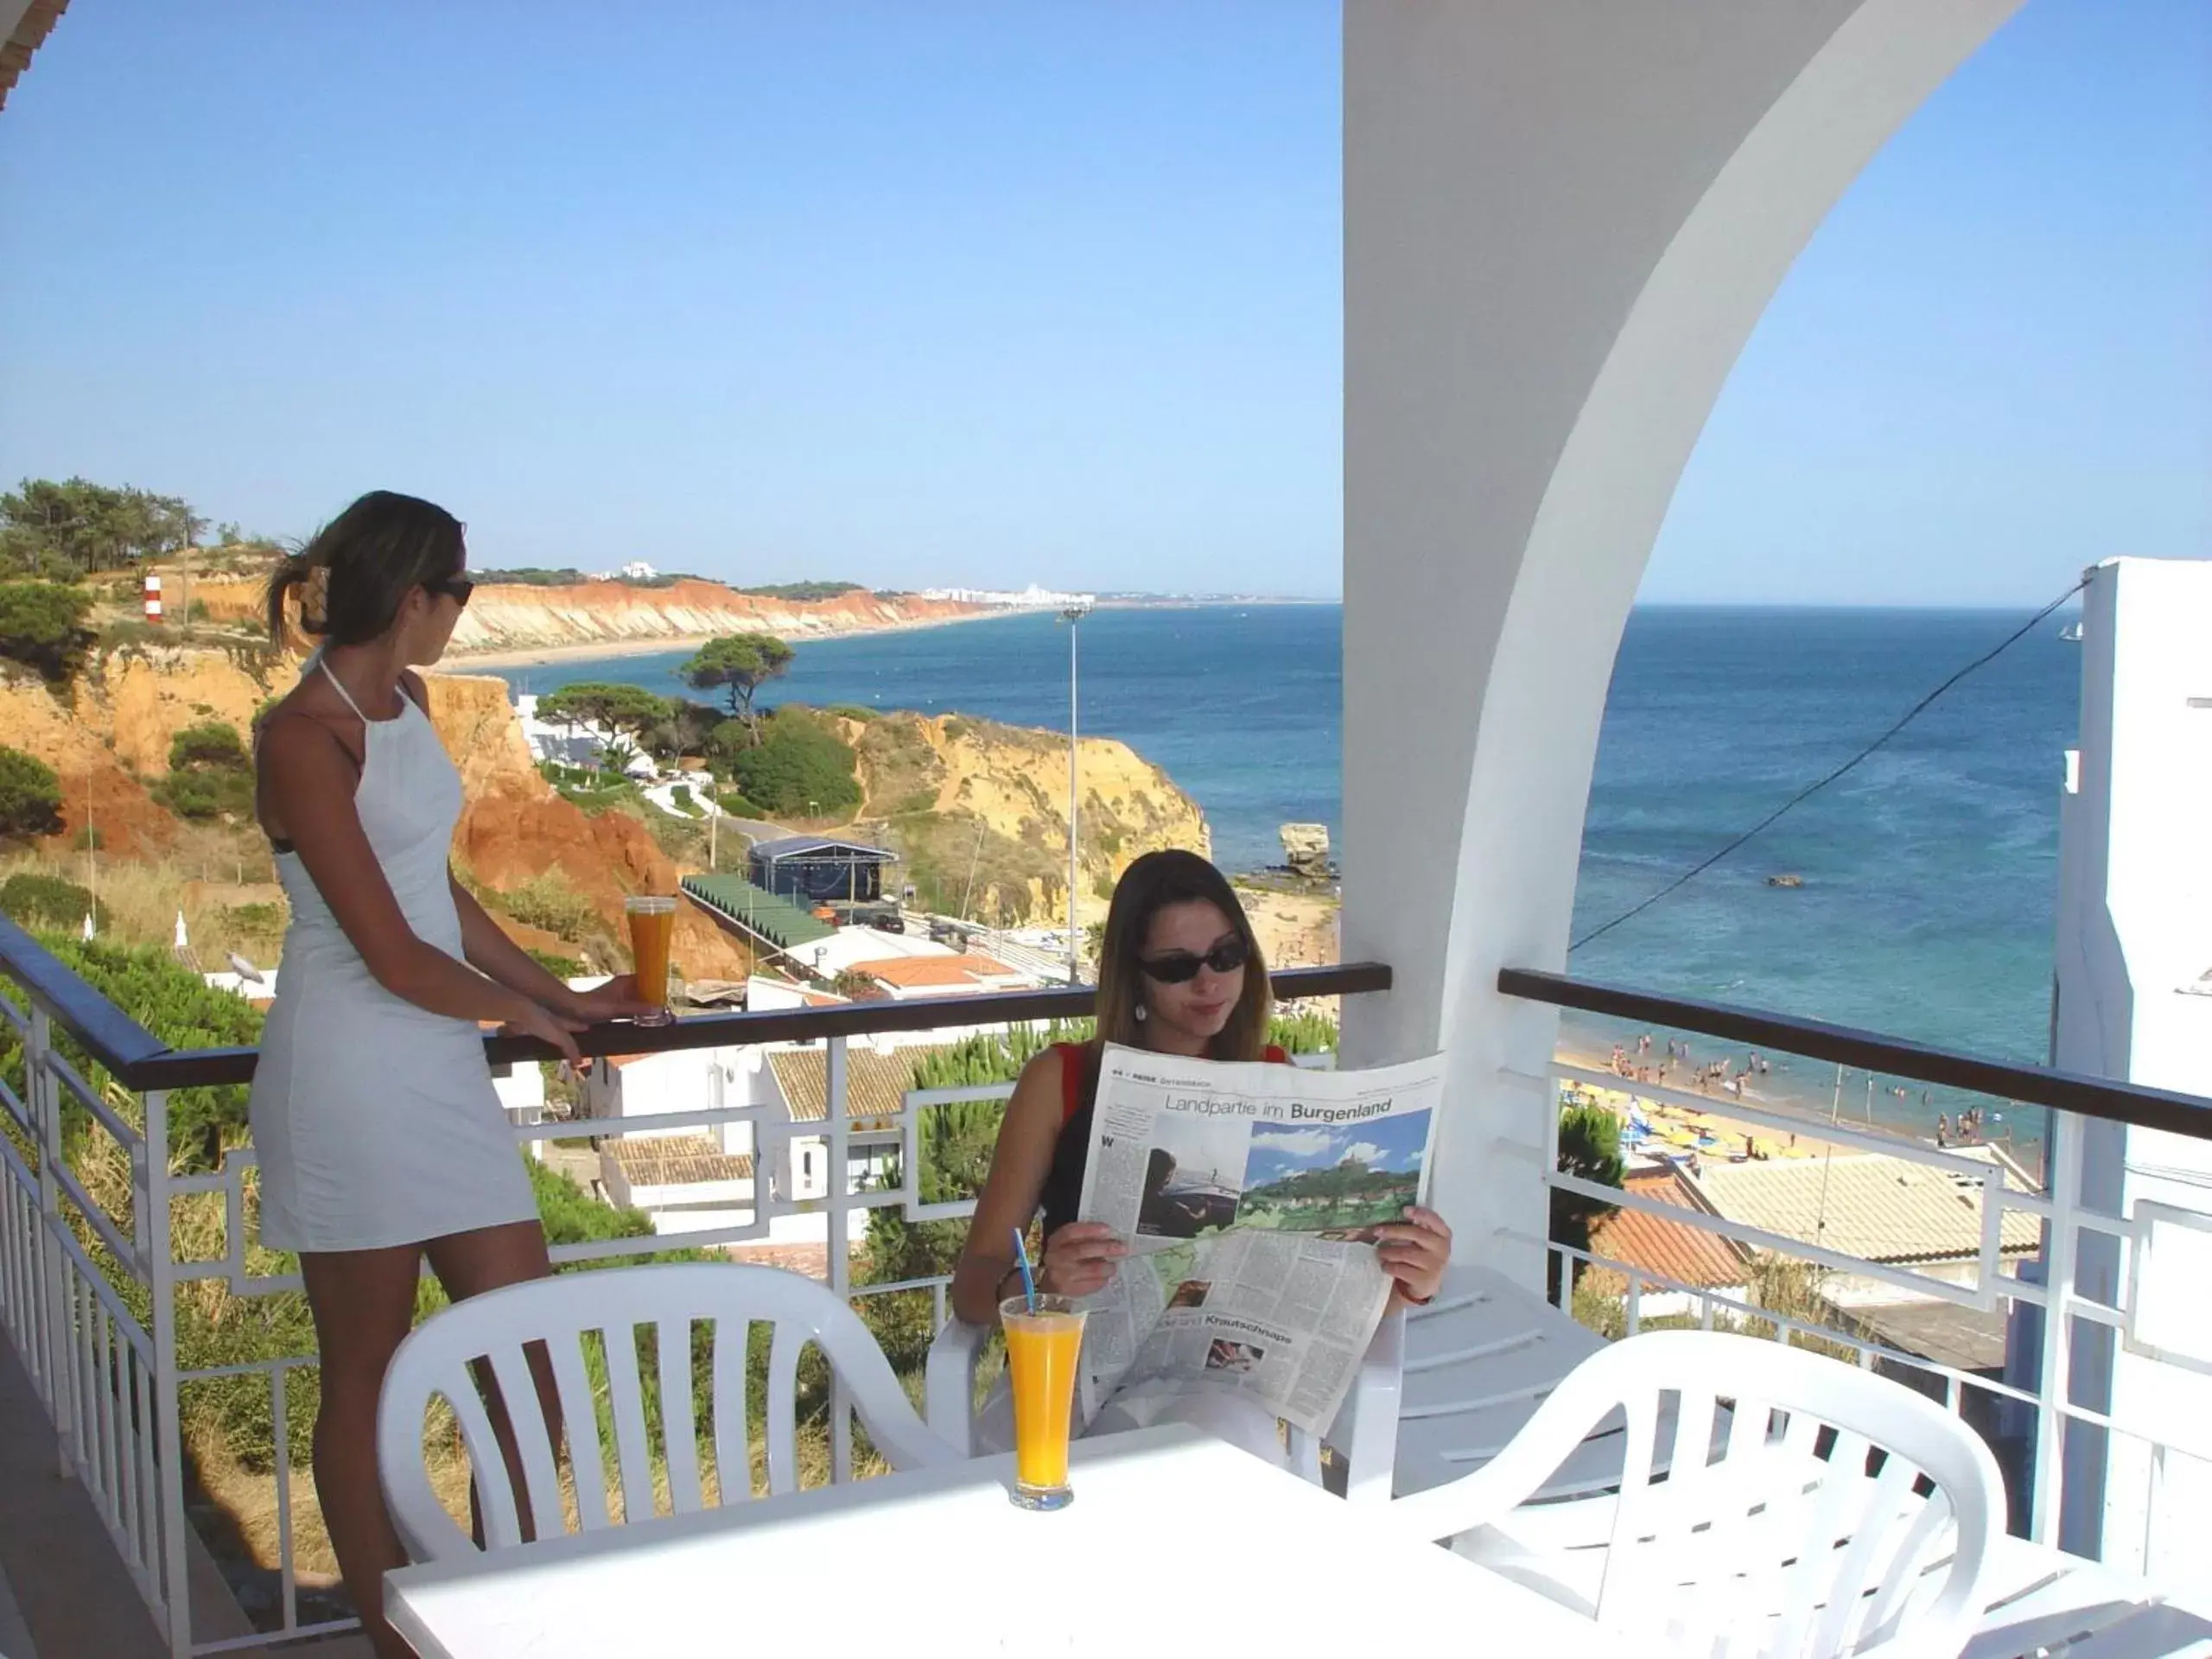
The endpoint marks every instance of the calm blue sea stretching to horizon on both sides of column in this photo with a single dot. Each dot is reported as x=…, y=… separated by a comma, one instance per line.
x=1930, y=873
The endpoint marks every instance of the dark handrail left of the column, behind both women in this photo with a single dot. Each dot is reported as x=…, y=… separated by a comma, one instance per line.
x=194, y=1067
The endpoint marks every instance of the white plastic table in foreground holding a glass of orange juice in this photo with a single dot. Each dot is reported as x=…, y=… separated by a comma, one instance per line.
x=1176, y=1543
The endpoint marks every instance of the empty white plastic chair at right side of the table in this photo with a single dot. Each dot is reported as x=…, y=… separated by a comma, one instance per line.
x=1830, y=1512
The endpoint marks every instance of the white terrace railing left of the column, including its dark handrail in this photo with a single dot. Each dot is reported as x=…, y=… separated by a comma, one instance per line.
x=101, y=1346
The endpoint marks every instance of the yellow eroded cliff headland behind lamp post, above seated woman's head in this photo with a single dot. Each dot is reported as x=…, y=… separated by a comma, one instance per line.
x=963, y=795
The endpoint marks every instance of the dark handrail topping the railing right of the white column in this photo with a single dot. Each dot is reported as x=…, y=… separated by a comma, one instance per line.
x=1870, y=1052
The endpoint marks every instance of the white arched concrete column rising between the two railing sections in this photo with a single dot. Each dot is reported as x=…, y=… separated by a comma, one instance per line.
x=1561, y=225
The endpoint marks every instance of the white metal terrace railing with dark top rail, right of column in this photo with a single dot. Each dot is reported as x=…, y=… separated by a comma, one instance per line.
x=2067, y=1315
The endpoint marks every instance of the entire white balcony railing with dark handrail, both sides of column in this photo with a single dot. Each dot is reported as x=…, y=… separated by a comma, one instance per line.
x=92, y=1262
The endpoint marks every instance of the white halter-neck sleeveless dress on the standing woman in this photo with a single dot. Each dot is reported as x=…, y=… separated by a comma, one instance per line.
x=375, y=1120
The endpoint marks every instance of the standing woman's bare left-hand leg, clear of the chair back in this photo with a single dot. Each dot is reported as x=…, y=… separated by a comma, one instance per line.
x=364, y=1304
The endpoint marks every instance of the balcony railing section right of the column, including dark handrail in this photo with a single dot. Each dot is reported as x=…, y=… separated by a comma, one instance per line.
x=2067, y=1311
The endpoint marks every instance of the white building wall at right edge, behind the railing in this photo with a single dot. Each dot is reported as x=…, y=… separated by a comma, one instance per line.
x=2133, y=937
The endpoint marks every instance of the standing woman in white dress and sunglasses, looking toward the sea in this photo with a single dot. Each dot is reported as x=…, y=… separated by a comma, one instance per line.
x=379, y=1134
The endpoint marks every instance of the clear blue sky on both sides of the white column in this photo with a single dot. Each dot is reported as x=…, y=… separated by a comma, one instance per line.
x=1003, y=293
